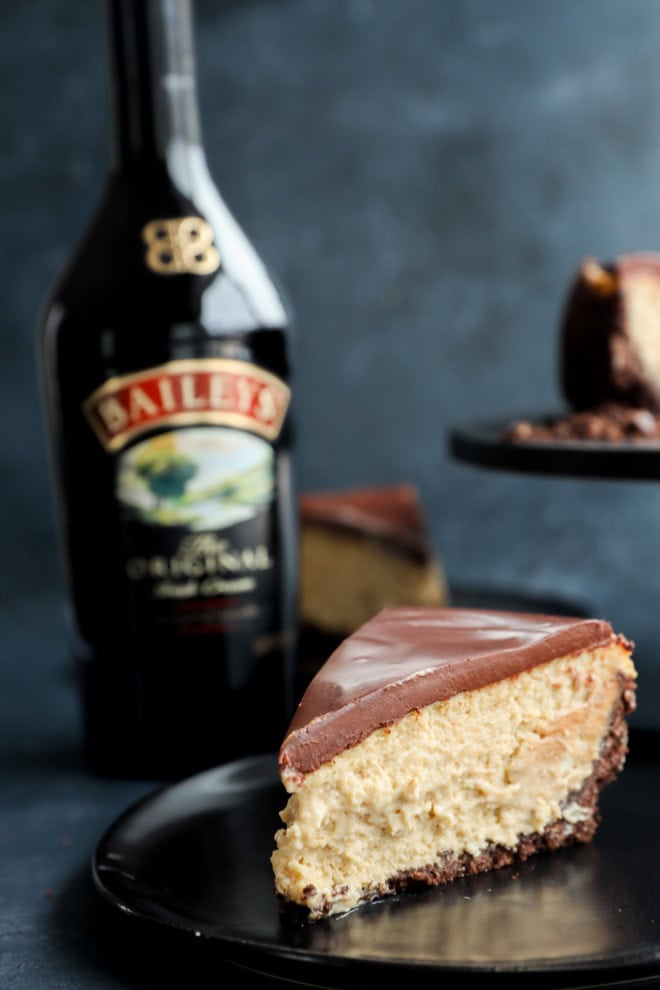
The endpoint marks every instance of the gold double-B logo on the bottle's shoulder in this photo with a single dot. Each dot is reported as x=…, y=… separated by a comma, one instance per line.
x=182, y=244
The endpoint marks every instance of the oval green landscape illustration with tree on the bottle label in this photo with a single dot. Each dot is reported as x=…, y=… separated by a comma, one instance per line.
x=197, y=478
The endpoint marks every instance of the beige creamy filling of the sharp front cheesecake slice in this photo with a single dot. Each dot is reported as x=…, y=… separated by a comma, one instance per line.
x=483, y=767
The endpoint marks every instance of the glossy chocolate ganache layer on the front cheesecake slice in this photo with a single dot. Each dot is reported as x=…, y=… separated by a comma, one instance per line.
x=409, y=657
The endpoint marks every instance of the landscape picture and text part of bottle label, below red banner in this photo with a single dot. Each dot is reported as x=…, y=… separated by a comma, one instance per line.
x=196, y=505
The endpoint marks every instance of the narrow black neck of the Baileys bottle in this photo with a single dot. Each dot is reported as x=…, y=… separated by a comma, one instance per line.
x=153, y=84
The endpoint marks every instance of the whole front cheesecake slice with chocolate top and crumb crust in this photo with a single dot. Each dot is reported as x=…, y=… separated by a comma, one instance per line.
x=440, y=742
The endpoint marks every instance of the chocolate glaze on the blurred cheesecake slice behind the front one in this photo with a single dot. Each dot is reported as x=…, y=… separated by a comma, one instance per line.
x=390, y=513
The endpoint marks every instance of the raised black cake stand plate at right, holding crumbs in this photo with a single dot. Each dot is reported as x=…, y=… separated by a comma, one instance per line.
x=481, y=444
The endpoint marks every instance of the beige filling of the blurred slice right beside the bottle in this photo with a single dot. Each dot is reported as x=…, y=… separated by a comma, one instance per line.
x=345, y=581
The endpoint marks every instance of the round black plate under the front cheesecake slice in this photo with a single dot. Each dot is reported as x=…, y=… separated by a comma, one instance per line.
x=195, y=856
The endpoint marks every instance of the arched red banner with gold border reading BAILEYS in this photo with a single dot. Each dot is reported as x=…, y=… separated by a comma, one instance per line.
x=220, y=391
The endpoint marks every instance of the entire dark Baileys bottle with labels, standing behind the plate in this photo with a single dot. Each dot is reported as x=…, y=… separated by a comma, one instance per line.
x=165, y=366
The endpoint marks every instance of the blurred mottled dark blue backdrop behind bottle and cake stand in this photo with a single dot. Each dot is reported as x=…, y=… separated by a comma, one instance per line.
x=424, y=176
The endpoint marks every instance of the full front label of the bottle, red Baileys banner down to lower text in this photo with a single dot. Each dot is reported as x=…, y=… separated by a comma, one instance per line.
x=197, y=496
